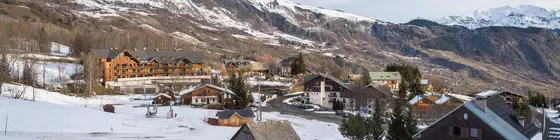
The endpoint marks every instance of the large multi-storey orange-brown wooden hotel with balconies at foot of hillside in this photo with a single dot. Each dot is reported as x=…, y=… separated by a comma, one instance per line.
x=151, y=71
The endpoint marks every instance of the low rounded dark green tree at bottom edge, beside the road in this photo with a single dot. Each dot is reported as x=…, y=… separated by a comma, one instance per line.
x=354, y=127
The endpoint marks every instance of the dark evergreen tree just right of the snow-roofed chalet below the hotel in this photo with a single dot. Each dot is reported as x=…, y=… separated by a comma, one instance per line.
x=237, y=86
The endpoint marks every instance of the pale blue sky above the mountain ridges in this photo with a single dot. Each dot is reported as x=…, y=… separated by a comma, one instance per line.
x=399, y=11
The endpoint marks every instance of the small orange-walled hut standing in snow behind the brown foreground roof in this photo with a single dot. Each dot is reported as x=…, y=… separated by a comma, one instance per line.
x=235, y=117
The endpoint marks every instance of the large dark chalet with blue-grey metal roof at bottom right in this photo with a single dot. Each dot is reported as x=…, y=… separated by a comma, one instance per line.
x=488, y=117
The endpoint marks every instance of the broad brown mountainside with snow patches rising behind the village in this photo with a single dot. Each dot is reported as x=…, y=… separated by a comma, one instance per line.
x=334, y=41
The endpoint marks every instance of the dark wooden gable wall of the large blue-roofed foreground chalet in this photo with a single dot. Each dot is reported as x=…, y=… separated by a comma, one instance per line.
x=445, y=128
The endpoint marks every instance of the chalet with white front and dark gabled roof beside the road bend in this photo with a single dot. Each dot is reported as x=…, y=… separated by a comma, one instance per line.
x=323, y=90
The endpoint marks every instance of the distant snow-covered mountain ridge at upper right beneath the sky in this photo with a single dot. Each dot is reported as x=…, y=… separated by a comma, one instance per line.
x=520, y=16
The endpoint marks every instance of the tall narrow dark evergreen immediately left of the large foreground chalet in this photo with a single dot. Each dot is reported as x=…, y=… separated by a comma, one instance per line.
x=397, y=129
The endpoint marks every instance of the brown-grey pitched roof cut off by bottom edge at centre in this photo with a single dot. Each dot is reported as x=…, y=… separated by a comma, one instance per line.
x=271, y=130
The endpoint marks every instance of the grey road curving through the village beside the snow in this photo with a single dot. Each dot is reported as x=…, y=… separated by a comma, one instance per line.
x=275, y=105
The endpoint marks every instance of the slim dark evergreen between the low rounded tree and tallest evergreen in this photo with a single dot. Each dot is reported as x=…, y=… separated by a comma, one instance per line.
x=375, y=123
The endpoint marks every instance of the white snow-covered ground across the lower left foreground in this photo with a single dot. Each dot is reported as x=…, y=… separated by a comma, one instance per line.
x=56, y=116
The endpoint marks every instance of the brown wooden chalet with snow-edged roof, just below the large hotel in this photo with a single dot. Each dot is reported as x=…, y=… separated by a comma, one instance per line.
x=206, y=94
